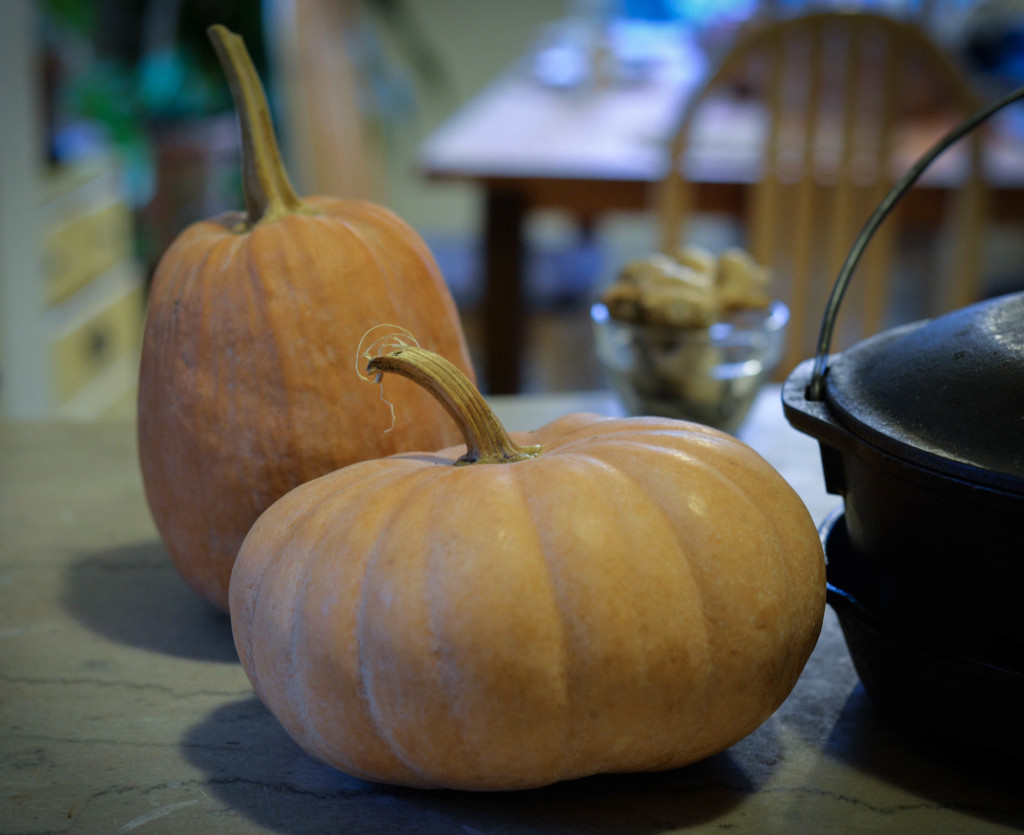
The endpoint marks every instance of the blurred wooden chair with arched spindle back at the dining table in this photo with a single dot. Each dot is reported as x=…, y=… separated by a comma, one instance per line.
x=844, y=104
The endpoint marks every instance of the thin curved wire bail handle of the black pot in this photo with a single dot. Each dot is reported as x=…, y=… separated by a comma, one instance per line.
x=816, y=390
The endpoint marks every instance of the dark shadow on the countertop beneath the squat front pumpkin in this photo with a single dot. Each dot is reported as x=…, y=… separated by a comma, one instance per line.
x=257, y=769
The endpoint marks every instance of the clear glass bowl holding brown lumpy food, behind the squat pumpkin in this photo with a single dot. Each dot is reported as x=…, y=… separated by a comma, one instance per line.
x=707, y=375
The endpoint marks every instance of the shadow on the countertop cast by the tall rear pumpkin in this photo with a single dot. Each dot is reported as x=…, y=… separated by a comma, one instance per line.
x=134, y=596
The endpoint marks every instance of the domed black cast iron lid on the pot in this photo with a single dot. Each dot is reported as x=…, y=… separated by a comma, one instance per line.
x=947, y=395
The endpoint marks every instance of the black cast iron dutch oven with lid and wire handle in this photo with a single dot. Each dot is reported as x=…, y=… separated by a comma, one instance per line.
x=922, y=432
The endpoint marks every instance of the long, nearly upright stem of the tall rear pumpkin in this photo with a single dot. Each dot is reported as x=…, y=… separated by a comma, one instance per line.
x=268, y=191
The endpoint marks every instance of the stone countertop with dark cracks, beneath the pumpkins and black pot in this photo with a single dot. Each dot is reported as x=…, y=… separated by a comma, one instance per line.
x=124, y=706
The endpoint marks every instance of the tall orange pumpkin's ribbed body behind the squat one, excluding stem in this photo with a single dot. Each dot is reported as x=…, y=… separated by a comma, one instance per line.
x=248, y=385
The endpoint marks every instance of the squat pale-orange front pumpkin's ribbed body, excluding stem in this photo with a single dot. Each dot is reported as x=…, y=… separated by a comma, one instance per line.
x=642, y=596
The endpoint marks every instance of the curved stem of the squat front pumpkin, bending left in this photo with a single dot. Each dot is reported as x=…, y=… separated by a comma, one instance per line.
x=487, y=441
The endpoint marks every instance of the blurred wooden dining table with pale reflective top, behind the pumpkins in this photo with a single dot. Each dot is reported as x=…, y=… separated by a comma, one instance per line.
x=601, y=148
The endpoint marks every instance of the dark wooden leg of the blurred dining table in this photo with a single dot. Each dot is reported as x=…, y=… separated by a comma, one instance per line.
x=504, y=300
